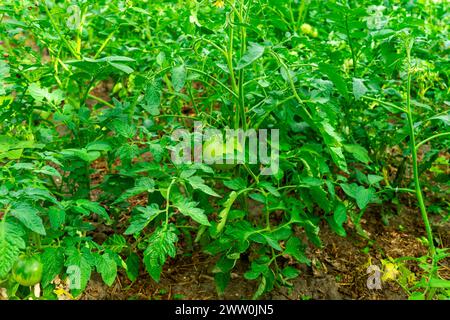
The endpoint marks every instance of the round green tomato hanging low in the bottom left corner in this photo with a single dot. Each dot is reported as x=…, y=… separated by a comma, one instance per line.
x=27, y=271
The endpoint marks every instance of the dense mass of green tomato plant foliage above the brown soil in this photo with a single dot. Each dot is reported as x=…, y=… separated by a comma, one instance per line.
x=355, y=88
